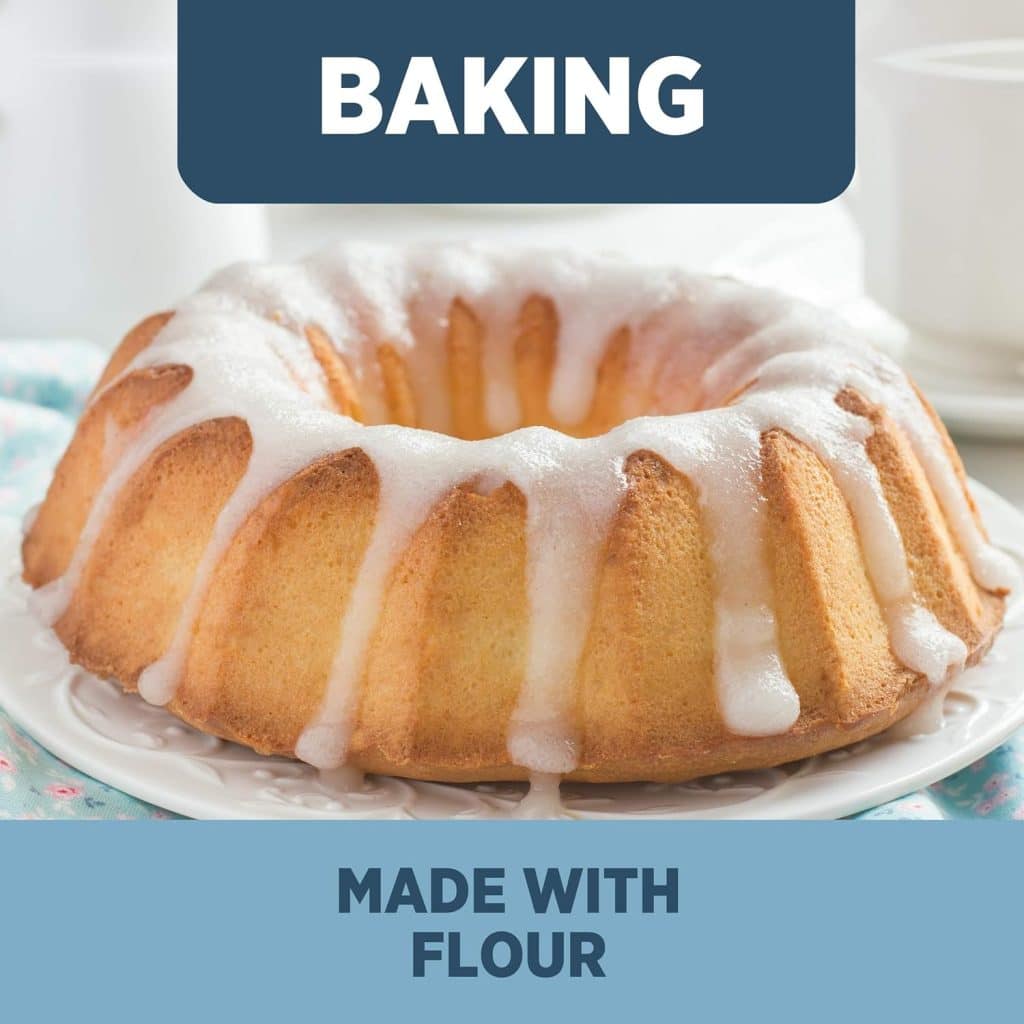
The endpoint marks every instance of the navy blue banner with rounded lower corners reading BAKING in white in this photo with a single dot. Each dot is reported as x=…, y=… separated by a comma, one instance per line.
x=535, y=102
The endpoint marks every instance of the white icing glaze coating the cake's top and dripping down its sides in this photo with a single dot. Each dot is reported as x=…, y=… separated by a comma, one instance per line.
x=697, y=343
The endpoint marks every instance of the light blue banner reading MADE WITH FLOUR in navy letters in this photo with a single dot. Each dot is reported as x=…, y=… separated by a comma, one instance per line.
x=493, y=922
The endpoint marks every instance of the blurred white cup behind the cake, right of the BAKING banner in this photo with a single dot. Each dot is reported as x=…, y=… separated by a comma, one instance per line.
x=941, y=195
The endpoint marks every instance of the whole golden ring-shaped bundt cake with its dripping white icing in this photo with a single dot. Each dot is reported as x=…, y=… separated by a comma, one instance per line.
x=457, y=515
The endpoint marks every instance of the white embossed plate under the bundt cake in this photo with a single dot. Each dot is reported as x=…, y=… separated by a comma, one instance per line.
x=147, y=752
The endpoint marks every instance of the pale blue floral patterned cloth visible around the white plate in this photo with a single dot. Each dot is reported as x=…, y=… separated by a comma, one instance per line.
x=42, y=389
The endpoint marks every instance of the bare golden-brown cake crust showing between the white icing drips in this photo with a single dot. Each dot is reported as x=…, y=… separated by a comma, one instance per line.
x=448, y=657
